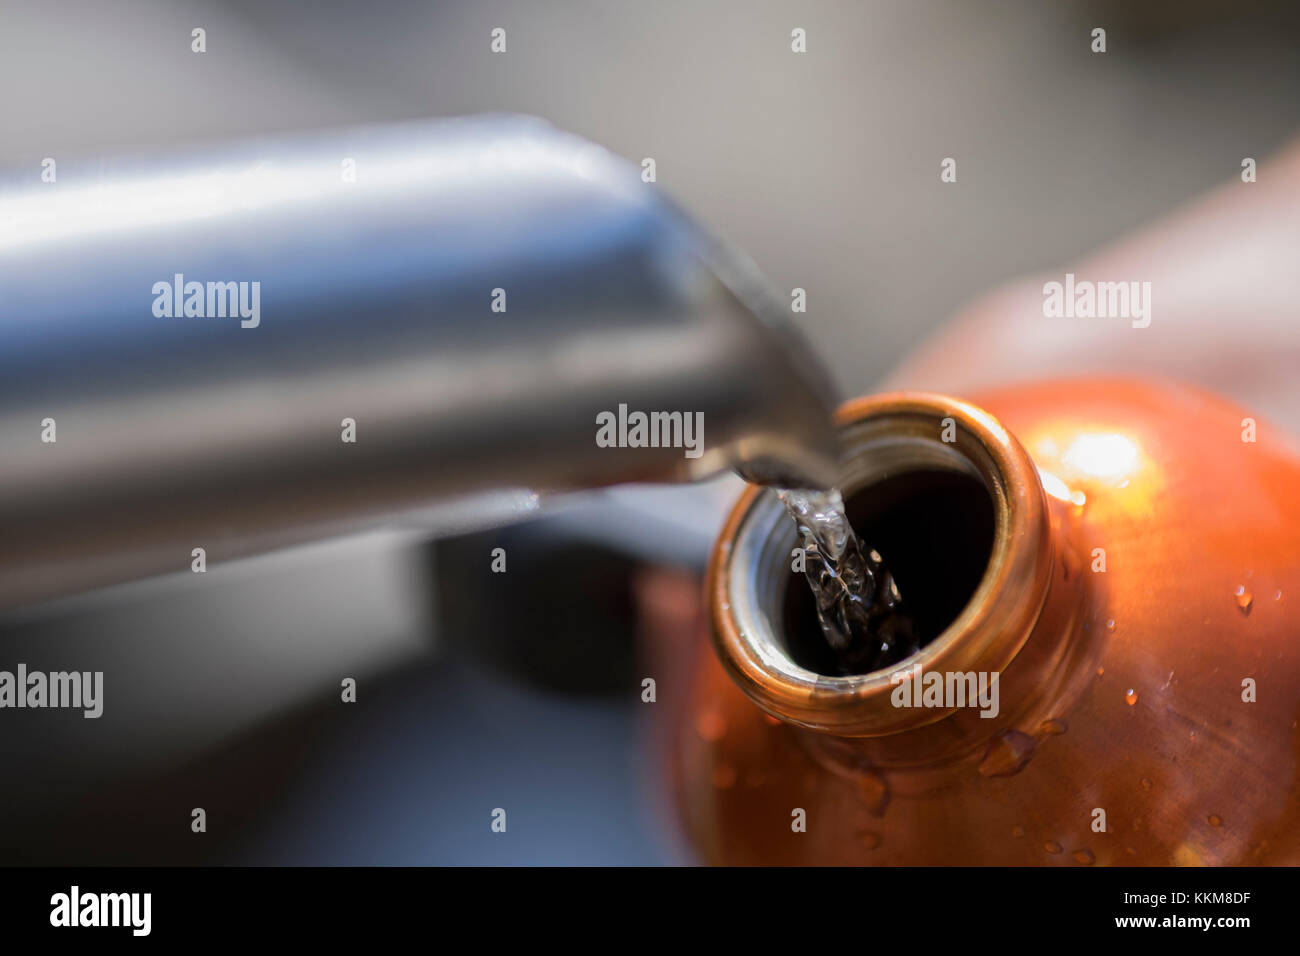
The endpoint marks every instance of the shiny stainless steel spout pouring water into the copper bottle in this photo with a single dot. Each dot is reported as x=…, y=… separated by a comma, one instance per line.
x=470, y=293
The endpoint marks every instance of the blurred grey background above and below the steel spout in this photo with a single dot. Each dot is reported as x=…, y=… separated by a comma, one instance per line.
x=825, y=168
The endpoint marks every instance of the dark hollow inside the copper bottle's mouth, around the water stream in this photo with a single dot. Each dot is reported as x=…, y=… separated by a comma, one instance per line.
x=934, y=529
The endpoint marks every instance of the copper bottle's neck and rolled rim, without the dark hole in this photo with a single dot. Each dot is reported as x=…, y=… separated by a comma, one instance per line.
x=996, y=665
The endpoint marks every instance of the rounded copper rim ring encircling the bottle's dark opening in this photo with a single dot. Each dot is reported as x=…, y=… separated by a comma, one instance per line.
x=881, y=435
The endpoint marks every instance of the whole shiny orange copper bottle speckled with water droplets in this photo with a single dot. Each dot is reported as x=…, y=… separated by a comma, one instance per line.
x=1129, y=583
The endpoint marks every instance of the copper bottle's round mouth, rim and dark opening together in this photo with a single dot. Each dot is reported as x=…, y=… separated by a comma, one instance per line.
x=955, y=507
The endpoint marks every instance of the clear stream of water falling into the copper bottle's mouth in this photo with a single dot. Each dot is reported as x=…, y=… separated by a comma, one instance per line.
x=857, y=600
